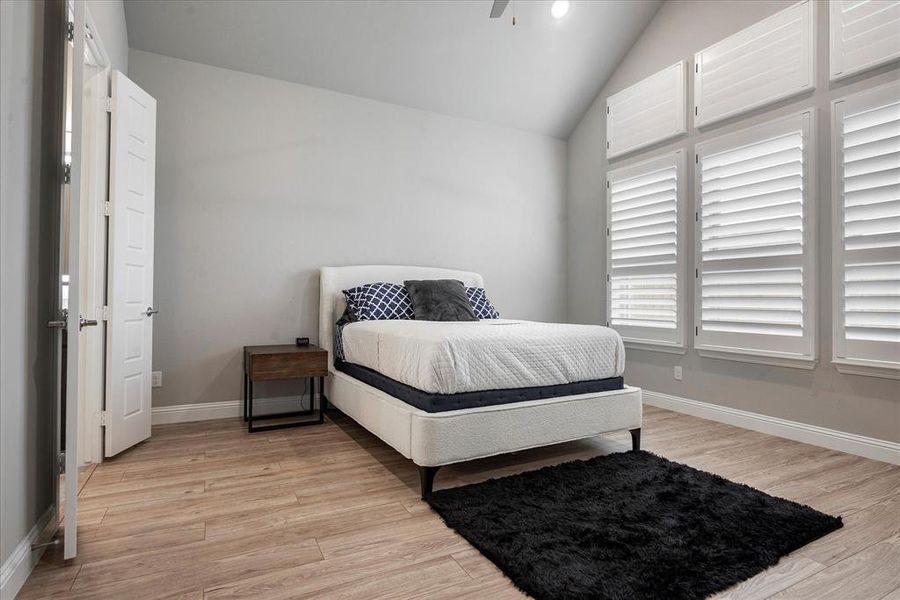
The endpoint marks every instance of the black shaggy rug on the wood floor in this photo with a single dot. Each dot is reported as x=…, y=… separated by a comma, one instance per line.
x=627, y=526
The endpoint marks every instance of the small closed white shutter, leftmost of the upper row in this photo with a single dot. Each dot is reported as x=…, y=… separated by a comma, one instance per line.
x=650, y=111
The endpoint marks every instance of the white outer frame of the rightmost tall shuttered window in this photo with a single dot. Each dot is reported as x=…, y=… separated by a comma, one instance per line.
x=863, y=100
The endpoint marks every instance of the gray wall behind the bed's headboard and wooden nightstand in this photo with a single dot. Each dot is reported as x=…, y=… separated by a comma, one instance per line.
x=260, y=182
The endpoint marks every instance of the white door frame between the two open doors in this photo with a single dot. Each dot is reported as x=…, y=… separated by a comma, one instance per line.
x=93, y=226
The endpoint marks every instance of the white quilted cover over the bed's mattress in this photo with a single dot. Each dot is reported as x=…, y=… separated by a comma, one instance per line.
x=454, y=357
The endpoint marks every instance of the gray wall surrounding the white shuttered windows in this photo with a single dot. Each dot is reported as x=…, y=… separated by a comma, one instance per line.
x=824, y=397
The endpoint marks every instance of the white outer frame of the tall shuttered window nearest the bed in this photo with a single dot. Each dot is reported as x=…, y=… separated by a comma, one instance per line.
x=631, y=336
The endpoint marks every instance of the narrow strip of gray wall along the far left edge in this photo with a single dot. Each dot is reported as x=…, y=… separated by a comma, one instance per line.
x=25, y=425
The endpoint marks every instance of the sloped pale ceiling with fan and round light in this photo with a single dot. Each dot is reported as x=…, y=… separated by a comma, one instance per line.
x=444, y=56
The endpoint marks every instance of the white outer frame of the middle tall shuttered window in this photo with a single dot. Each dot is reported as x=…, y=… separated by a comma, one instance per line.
x=802, y=355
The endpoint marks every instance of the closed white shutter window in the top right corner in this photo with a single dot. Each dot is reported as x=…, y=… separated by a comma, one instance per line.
x=863, y=35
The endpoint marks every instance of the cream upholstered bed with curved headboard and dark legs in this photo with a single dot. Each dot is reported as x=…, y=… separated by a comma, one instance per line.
x=434, y=438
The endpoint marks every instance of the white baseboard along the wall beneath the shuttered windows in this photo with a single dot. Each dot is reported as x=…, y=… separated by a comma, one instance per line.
x=833, y=439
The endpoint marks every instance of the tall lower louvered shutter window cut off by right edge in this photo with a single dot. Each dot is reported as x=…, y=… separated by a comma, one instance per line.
x=866, y=189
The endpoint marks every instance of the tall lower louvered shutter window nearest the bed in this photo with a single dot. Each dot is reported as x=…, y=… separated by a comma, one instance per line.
x=644, y=255
